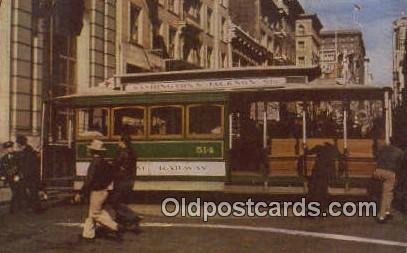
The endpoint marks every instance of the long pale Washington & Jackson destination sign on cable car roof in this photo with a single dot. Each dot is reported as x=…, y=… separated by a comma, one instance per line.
x=203, y=85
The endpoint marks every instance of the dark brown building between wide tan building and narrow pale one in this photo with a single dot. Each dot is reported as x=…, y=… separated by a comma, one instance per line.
x=270, y=23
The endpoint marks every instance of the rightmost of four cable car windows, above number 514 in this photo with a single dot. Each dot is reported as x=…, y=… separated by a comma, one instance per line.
x=205, y=120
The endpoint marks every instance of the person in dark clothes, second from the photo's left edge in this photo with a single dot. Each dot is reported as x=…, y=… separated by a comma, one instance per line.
x=29, y=166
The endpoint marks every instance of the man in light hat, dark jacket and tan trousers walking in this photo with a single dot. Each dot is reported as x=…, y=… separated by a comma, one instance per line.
x=99, y=177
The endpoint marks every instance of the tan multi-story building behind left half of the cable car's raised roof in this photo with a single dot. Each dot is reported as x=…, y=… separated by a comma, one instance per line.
x=171, y=35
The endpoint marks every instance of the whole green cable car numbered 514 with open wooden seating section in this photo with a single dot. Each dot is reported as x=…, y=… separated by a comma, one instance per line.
x=208, y=129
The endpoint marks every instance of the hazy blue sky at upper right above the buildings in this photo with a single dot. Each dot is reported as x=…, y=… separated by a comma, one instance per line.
x=375, y=19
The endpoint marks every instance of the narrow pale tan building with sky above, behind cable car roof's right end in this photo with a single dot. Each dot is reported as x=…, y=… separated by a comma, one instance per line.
x=307, y=40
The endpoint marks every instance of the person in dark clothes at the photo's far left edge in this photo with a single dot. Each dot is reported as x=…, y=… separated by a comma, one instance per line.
x=10, y=173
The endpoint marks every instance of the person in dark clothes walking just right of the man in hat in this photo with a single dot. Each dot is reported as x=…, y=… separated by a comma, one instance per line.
x=125, y=168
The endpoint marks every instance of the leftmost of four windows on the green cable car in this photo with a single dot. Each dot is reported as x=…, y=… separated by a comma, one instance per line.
x=93, y=122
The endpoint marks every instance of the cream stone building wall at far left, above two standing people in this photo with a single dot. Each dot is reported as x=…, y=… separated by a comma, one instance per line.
x=20, y=71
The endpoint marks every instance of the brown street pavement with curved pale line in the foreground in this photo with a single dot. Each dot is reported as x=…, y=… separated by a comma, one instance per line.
x=58, y=228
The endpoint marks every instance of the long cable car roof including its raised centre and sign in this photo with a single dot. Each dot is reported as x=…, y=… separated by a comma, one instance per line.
x=283, y=83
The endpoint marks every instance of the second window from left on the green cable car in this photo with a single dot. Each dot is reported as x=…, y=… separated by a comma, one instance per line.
x=130, y=121
